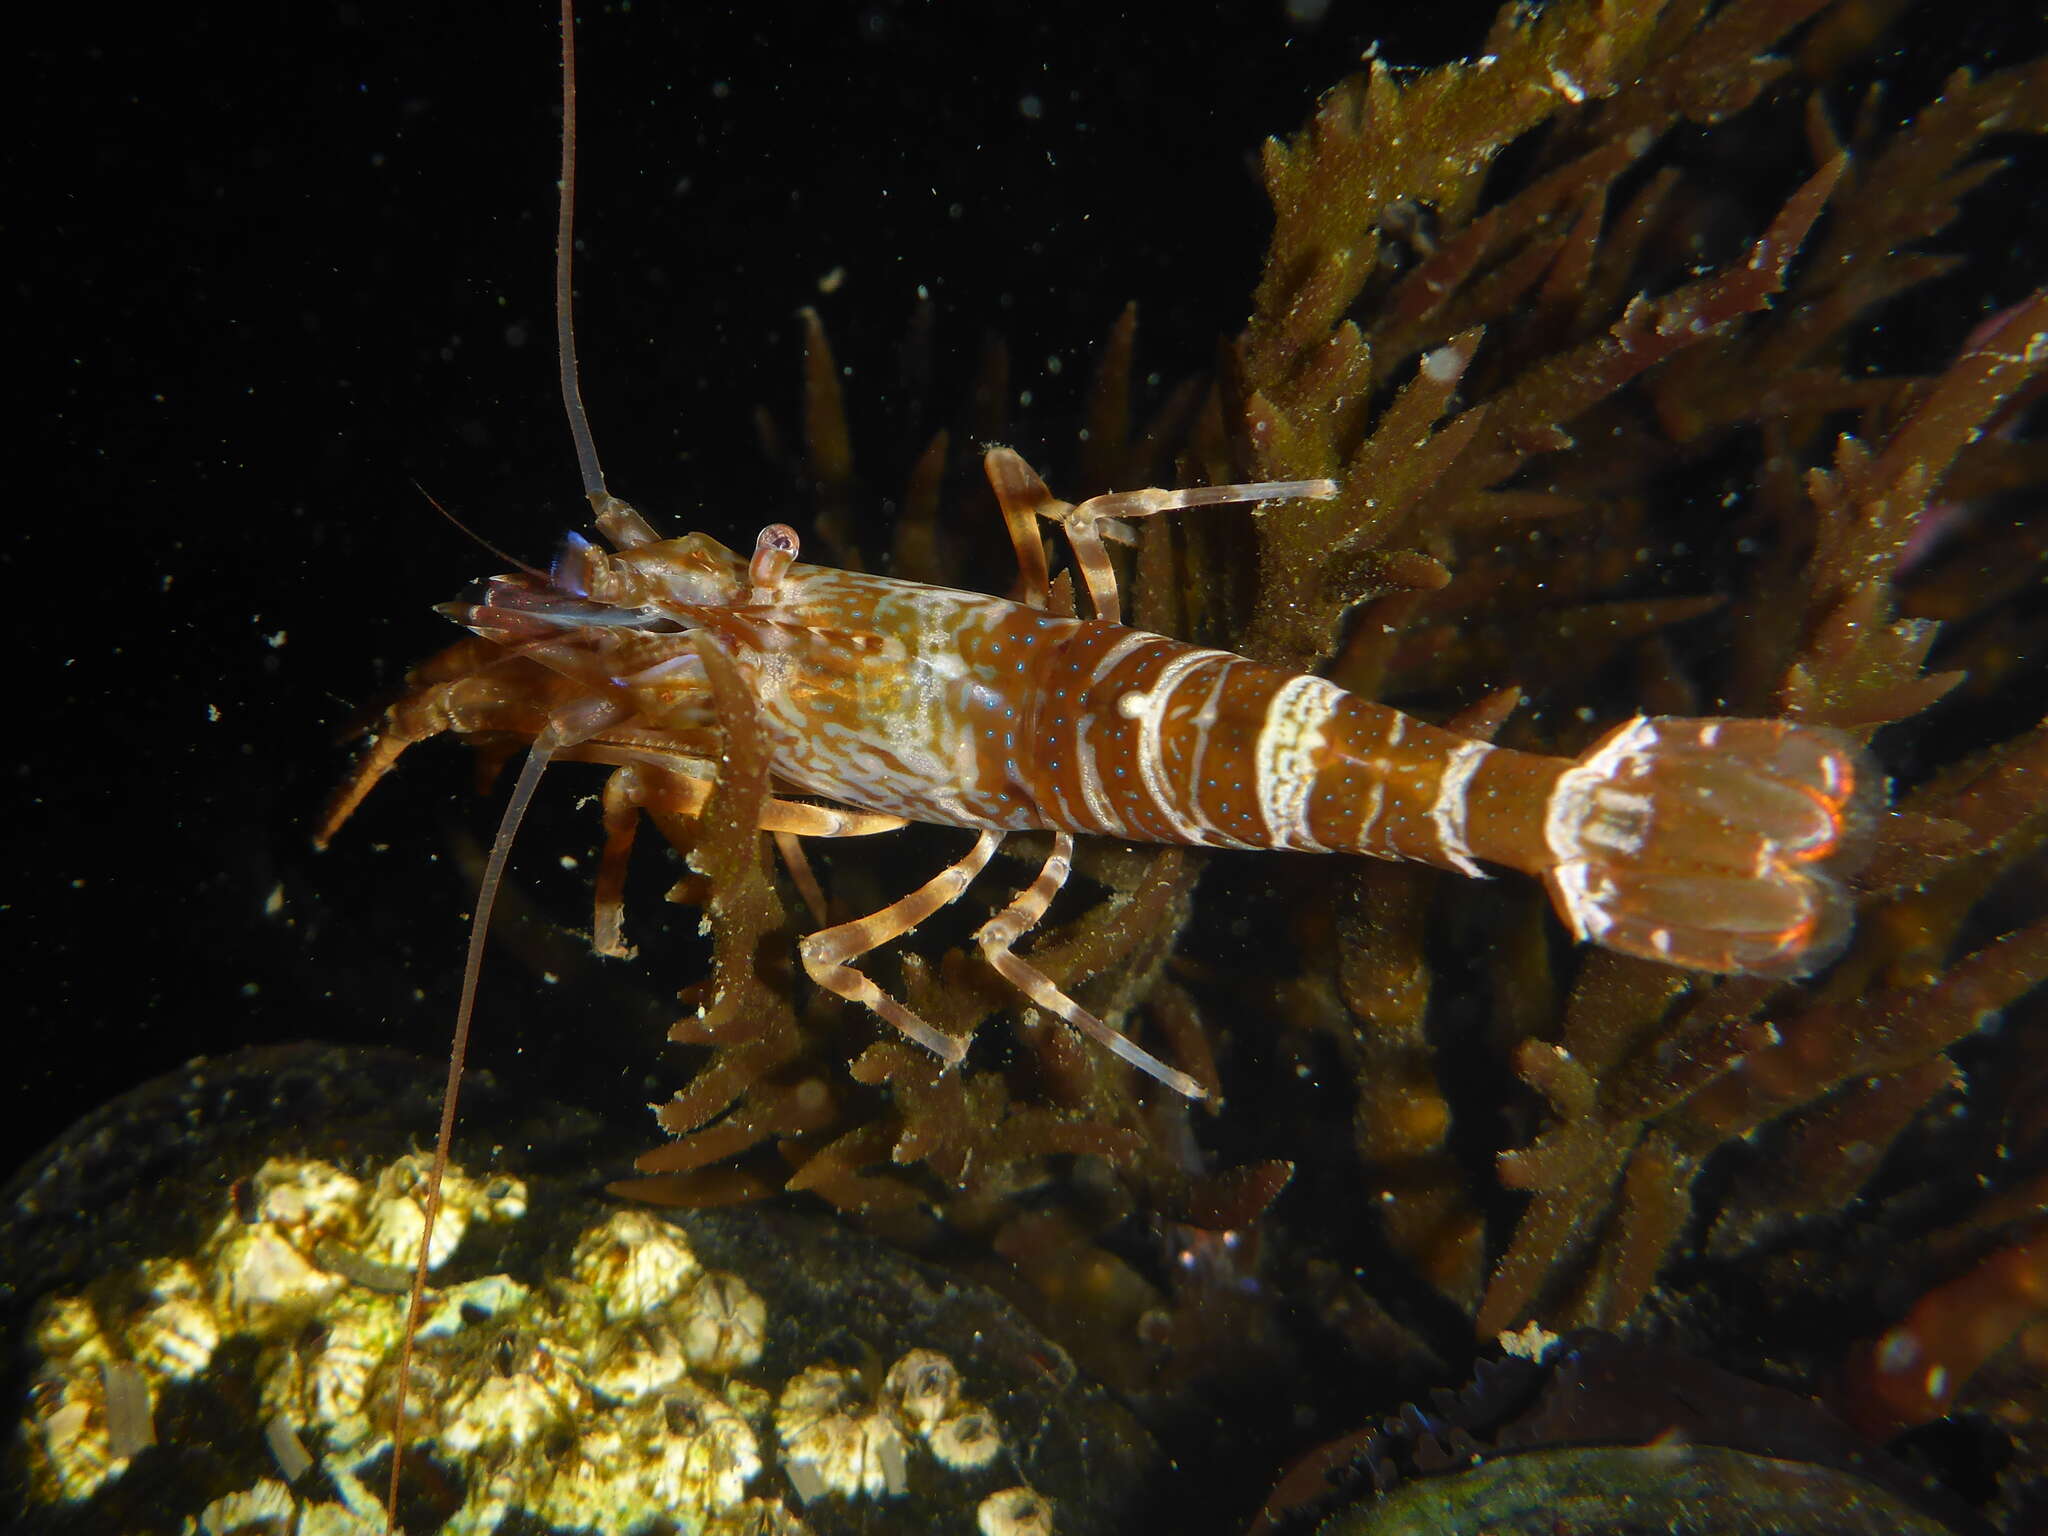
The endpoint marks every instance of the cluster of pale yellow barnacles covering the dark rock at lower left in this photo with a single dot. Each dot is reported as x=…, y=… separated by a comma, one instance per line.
x=632, y=1390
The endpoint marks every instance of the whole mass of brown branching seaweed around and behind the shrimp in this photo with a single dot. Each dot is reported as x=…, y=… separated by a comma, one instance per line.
x=1611, y=441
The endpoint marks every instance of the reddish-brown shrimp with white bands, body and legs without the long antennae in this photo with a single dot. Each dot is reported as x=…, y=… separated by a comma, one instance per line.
x=1715, y=845
